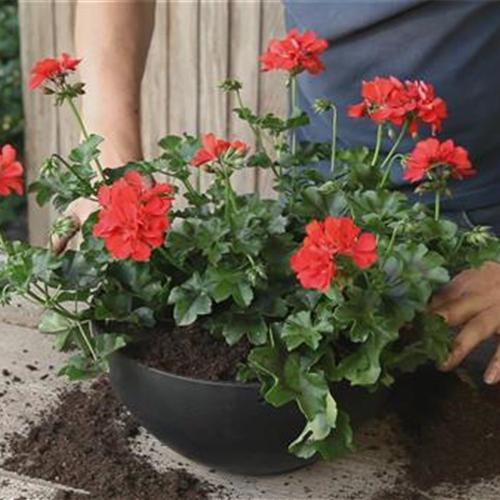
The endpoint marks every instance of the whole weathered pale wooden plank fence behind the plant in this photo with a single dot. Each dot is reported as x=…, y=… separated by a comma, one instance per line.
x=197, y=44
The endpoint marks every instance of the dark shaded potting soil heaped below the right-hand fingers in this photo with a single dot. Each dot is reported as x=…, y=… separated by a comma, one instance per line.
x=451, y=430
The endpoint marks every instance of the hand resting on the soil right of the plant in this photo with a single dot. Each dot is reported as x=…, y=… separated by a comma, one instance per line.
x=471, y=301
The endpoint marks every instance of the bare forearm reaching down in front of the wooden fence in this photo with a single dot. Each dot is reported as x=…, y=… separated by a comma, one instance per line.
x=113, y=38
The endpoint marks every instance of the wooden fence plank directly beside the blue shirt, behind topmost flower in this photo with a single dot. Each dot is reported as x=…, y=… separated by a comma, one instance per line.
x=273, y=96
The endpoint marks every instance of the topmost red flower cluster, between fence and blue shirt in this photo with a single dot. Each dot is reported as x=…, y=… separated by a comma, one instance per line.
x=295, y=53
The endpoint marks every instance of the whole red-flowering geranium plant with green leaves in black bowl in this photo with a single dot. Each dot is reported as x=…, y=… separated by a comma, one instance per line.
x=329, y=282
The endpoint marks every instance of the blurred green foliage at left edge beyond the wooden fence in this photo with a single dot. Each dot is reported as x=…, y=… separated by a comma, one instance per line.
x=11, y=109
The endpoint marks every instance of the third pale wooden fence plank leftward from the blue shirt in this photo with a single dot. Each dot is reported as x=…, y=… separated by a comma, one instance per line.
x=214, y=69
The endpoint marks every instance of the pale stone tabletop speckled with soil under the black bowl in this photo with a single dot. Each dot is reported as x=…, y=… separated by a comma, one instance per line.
x=29, y=356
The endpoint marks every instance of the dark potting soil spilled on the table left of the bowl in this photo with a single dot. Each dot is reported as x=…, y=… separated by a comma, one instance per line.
x=84, y=443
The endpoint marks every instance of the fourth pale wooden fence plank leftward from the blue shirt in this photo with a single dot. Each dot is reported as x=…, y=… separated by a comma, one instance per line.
x=183, y=73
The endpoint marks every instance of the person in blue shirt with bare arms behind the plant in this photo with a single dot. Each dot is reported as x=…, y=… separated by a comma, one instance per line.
x=453, y=43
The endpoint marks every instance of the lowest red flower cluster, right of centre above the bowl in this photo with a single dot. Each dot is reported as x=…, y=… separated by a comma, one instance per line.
x=314, y=263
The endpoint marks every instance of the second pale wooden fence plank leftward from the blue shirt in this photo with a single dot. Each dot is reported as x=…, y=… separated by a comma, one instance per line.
x=244, y=49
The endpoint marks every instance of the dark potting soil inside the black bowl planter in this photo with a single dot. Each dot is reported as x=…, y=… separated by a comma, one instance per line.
x=192, y=352
